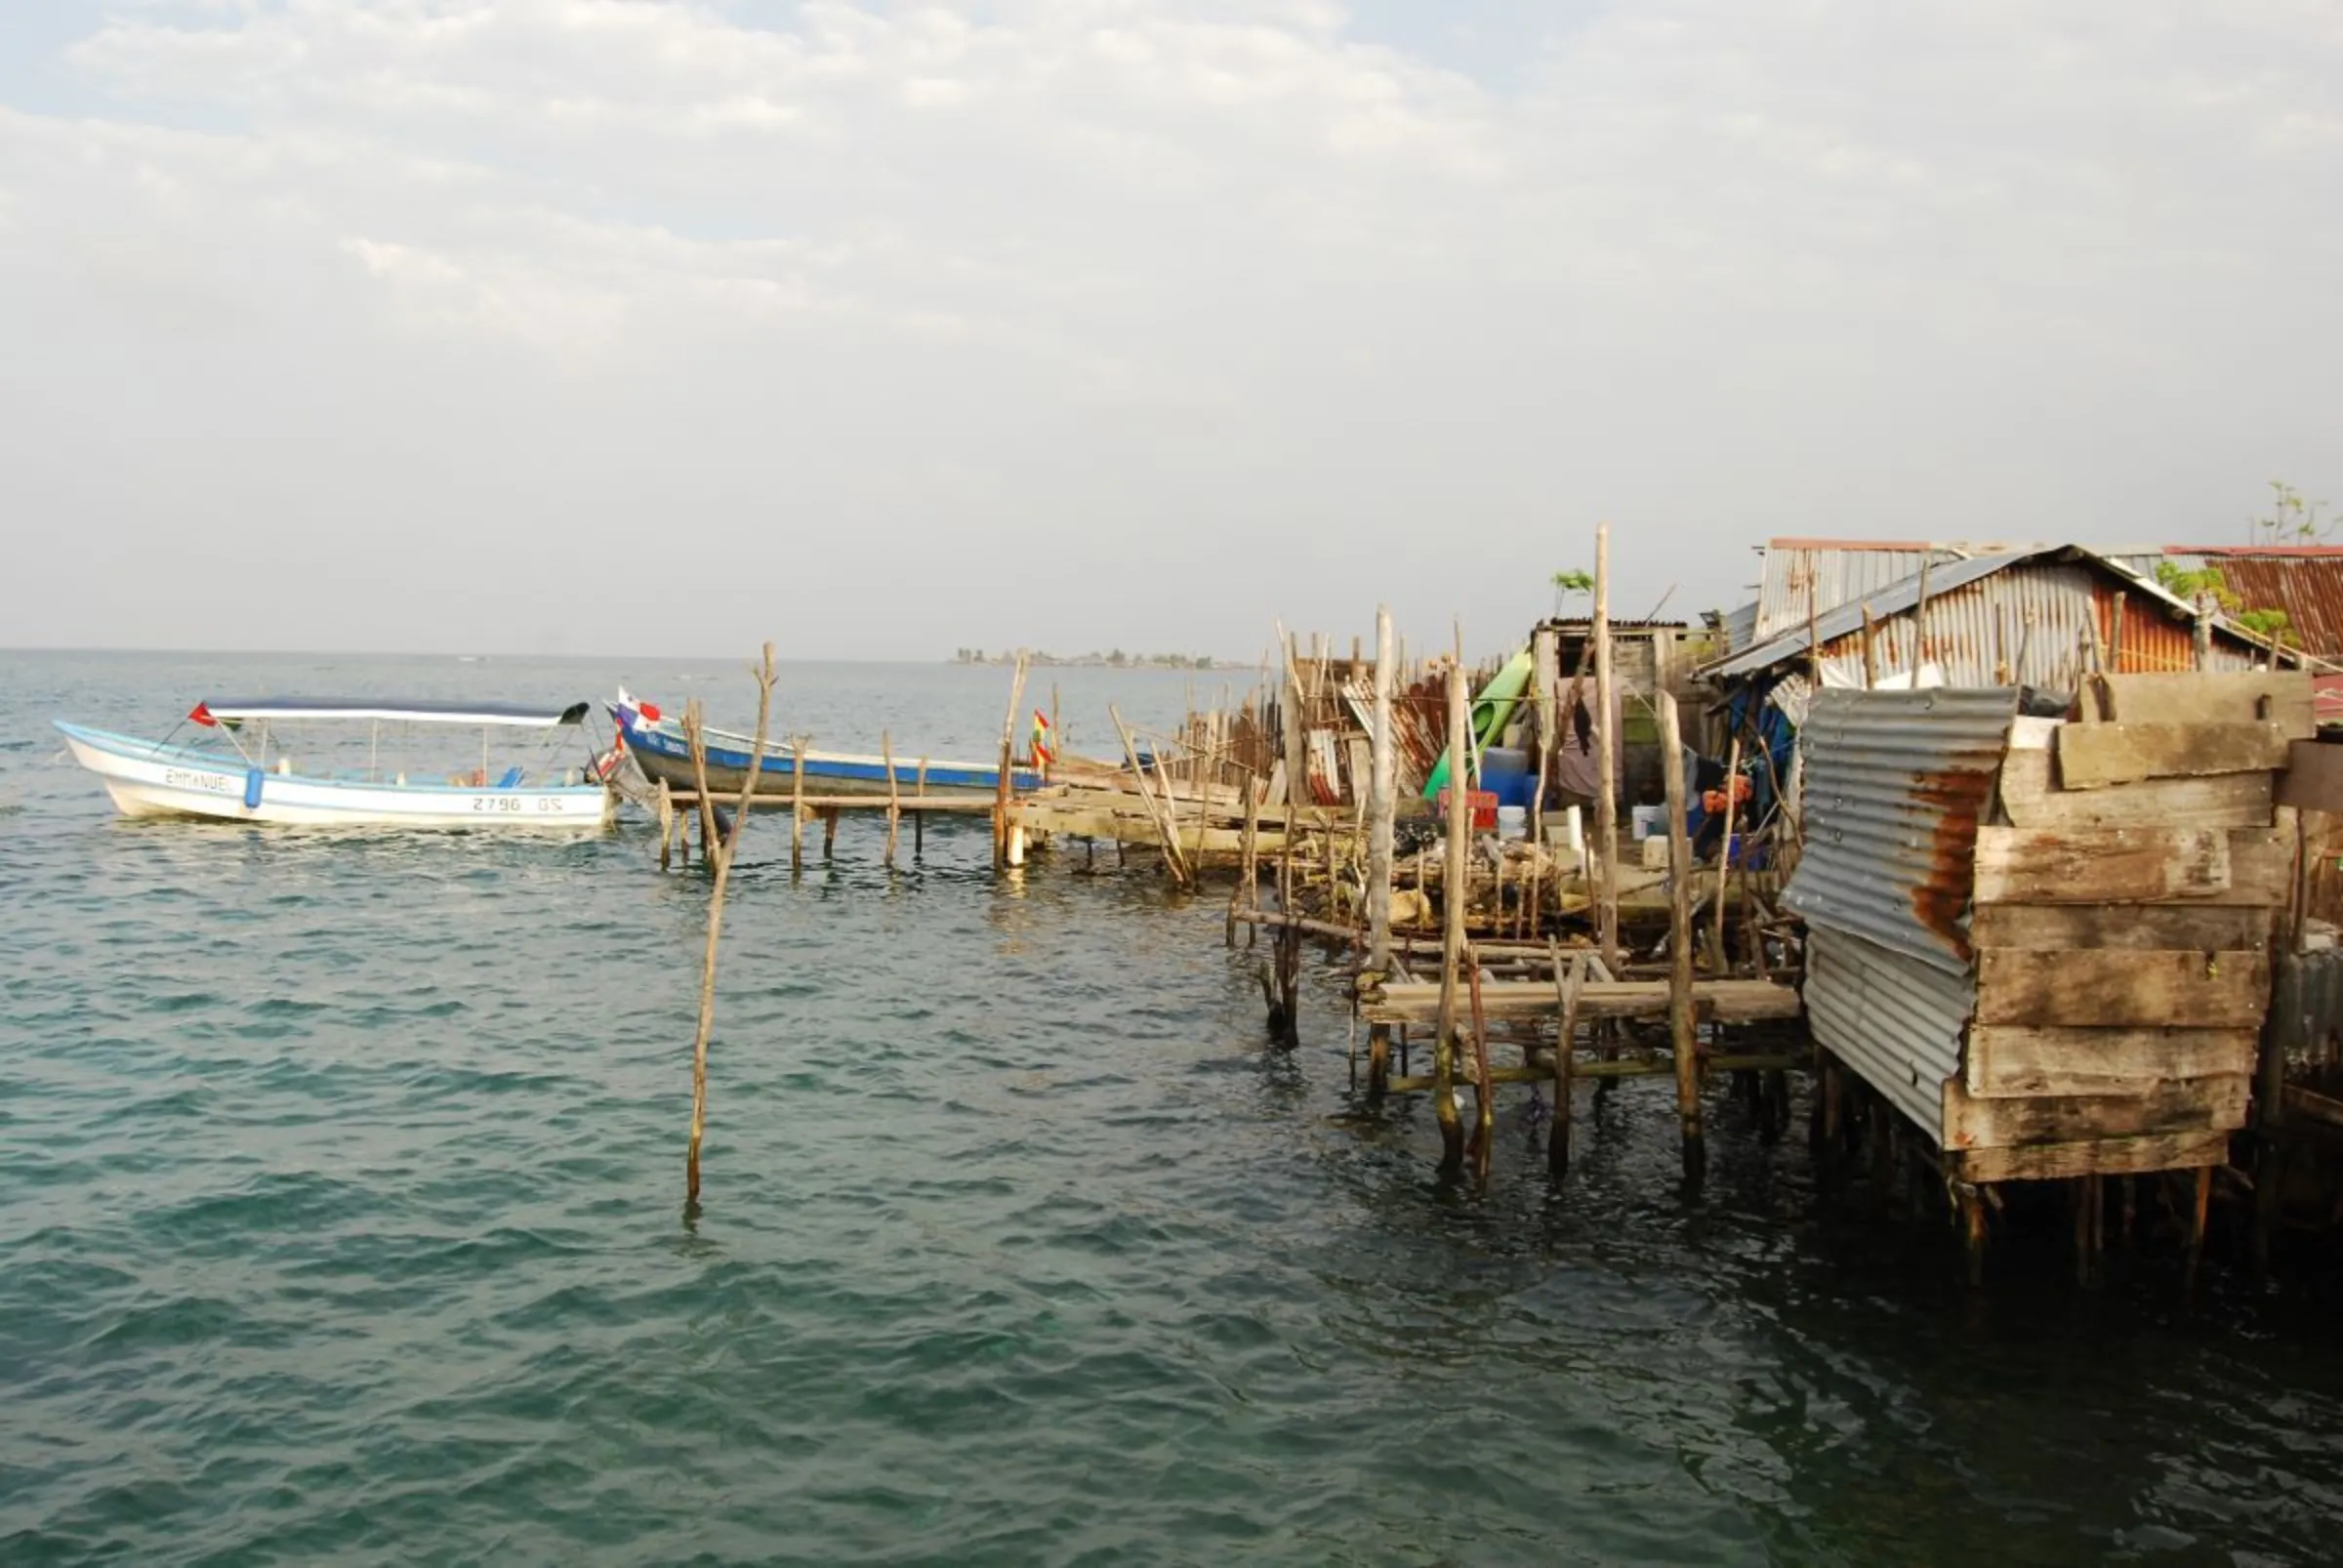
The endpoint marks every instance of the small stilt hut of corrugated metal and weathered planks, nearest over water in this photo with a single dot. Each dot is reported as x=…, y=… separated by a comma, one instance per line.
x=2047, y=939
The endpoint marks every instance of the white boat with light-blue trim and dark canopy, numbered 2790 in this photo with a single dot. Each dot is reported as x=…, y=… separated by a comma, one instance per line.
x=240, y=770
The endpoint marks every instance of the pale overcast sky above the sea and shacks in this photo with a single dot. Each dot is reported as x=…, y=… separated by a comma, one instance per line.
x=631, y=327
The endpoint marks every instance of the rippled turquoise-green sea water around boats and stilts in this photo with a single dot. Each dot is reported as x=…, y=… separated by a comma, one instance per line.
x=341, y=1220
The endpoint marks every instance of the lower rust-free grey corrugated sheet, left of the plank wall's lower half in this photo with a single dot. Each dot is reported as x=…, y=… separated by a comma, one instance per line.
x=1894, y=1021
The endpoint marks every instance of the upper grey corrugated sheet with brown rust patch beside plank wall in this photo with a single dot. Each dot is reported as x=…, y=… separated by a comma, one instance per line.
x=1894, y=791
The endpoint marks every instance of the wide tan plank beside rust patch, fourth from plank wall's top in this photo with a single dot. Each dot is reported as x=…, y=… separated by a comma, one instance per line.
x=2131, y=866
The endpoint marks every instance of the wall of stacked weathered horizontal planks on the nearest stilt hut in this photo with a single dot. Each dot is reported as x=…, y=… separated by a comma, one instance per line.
x=2122, y=922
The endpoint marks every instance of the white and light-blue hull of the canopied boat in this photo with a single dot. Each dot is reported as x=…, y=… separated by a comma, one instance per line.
x=146, y=779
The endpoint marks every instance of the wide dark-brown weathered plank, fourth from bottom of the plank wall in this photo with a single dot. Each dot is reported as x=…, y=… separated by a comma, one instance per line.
x=2124, y=988
